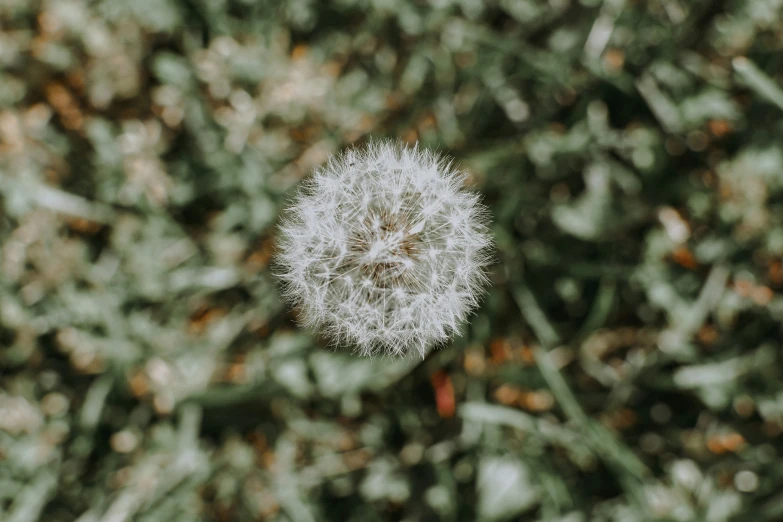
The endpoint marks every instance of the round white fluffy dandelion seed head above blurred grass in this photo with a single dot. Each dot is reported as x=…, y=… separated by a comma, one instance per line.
x=383, y=249
